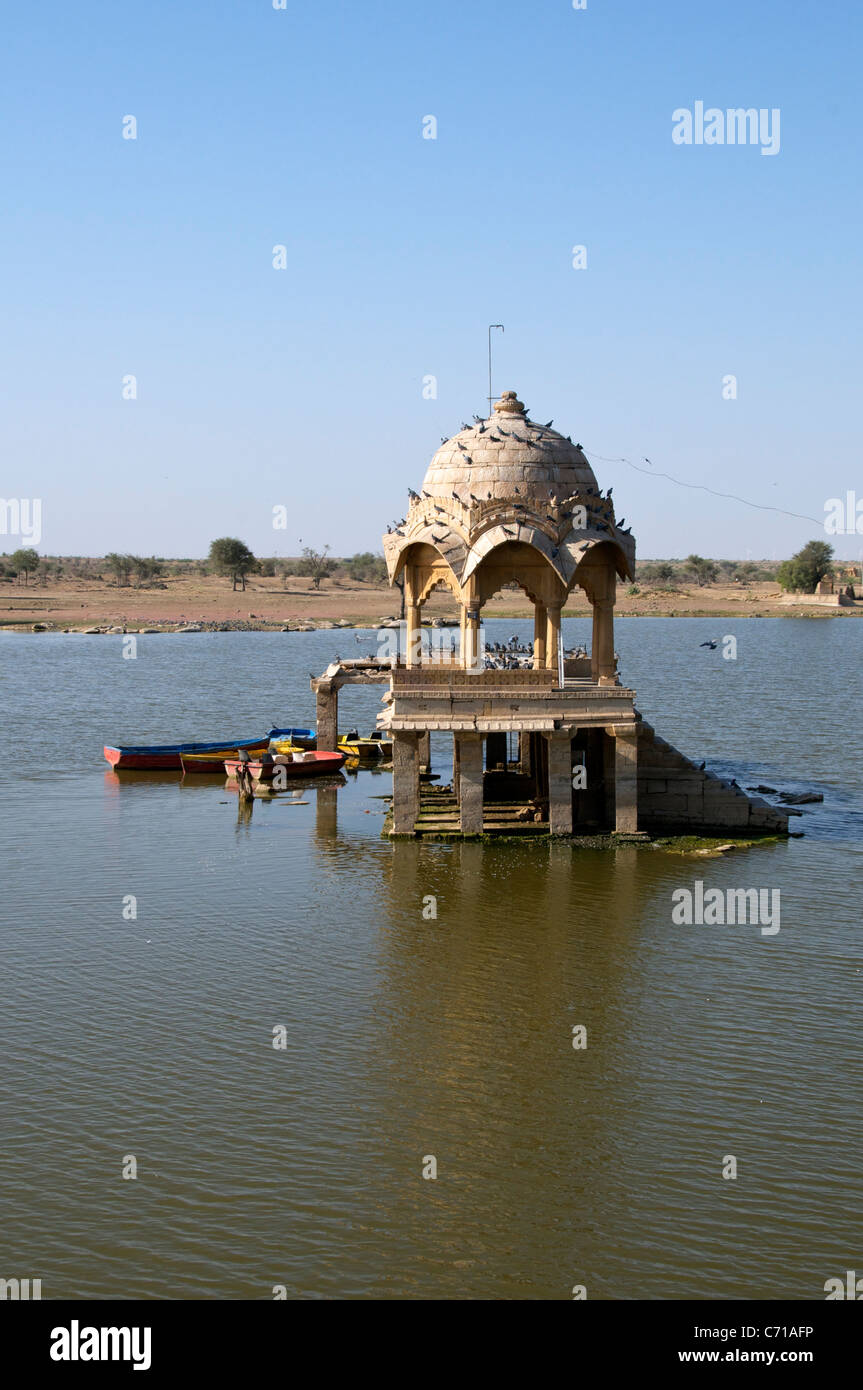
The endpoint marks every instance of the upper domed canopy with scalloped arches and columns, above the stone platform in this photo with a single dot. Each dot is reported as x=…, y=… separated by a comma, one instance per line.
x=511, y=501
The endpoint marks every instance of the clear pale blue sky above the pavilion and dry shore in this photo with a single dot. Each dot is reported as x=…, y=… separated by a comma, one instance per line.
x=305, y=387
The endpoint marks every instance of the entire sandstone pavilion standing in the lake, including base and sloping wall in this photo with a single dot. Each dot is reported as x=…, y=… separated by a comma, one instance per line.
x=543, y=742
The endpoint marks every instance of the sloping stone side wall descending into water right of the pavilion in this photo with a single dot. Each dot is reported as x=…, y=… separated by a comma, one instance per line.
x=675, y=796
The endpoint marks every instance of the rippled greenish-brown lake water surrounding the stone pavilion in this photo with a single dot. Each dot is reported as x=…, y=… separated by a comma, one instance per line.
x=409, y=1038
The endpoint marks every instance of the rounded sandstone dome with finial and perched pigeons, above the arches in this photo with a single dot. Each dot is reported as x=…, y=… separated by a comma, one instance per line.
x=509, y=455
